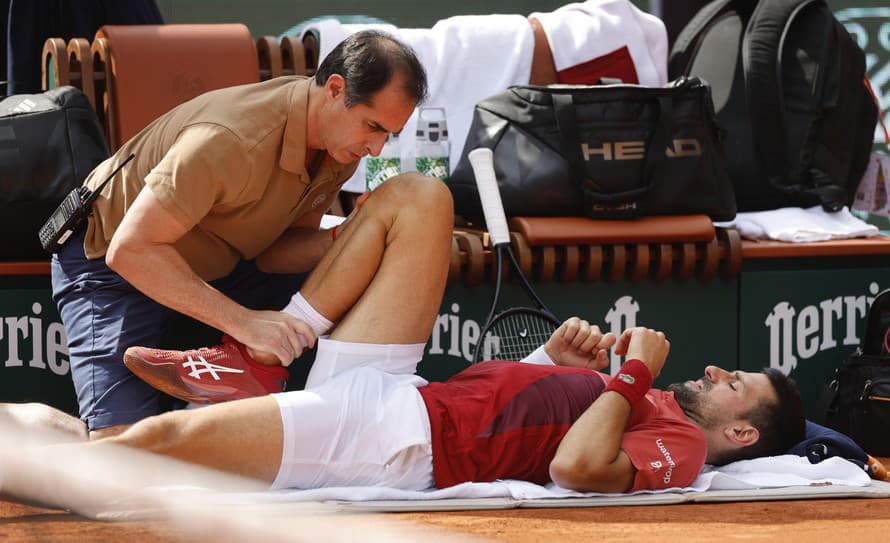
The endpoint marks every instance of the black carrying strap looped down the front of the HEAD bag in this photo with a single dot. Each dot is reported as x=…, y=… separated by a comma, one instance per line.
x=563, y=106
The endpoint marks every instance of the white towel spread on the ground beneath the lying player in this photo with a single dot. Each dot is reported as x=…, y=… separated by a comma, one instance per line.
x=768, y=472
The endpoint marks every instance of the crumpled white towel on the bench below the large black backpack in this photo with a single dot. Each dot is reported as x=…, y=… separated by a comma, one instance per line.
x=799, y=225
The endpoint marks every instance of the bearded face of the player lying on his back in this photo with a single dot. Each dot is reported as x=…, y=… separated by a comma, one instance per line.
x=721, y=396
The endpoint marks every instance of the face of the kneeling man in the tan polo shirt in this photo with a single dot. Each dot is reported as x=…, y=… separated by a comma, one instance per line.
x=353, y=132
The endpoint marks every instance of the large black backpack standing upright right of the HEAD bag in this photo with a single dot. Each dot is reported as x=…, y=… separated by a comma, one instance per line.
x=787, y=82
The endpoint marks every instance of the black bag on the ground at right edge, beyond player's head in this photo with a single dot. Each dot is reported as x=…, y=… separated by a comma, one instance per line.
x=860, y=406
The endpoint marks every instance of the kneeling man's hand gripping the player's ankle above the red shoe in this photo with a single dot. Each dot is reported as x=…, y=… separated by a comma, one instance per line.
x=274, y=336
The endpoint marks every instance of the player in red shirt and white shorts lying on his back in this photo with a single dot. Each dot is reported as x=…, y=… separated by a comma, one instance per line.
x=367, y=419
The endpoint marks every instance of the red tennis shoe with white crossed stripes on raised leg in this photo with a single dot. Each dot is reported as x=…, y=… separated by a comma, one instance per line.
x=207, y=375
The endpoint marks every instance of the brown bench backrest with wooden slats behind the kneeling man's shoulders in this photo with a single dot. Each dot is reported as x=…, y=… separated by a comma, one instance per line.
x=133, y=74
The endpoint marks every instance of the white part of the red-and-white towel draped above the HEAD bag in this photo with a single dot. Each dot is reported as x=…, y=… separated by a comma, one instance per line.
x=584, y=31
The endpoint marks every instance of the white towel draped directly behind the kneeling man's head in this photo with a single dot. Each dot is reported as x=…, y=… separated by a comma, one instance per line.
x=467, y=59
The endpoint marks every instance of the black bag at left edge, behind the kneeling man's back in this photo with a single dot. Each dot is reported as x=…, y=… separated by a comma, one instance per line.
x=49, y=143
